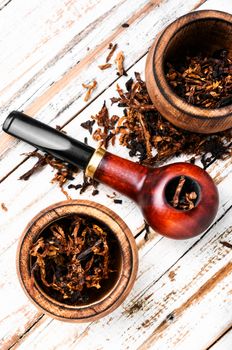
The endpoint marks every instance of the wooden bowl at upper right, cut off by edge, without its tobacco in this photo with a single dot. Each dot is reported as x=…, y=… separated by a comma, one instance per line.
x=200, y=31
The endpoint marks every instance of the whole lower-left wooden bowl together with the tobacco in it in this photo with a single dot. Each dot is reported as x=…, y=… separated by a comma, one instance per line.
x=65, y=270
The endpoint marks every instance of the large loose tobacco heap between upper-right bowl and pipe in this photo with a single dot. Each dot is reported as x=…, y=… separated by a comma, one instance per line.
x=152, y=138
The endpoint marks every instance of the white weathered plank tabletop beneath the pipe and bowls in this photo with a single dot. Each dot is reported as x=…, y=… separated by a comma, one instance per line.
x=182, y=298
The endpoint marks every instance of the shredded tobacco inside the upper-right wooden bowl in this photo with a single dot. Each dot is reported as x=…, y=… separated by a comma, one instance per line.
x=203, y=81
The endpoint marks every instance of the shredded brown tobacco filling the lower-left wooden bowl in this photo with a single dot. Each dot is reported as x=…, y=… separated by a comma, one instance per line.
x=75, y=260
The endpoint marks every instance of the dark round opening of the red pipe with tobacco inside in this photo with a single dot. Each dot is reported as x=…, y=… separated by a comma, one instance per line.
x=185, y=193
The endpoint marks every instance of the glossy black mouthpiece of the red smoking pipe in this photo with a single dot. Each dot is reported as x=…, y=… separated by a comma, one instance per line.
x=48, y=139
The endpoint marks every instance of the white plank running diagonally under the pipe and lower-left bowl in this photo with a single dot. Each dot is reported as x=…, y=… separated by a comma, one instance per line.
x=37, y=193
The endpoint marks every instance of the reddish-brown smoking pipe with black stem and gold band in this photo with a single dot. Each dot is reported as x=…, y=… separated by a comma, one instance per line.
x=150, y=188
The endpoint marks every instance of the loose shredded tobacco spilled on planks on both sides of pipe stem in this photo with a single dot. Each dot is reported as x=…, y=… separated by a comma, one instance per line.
x=144, y=132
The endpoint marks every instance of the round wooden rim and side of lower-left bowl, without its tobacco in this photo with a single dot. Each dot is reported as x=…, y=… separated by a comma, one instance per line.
x=108, y=301
